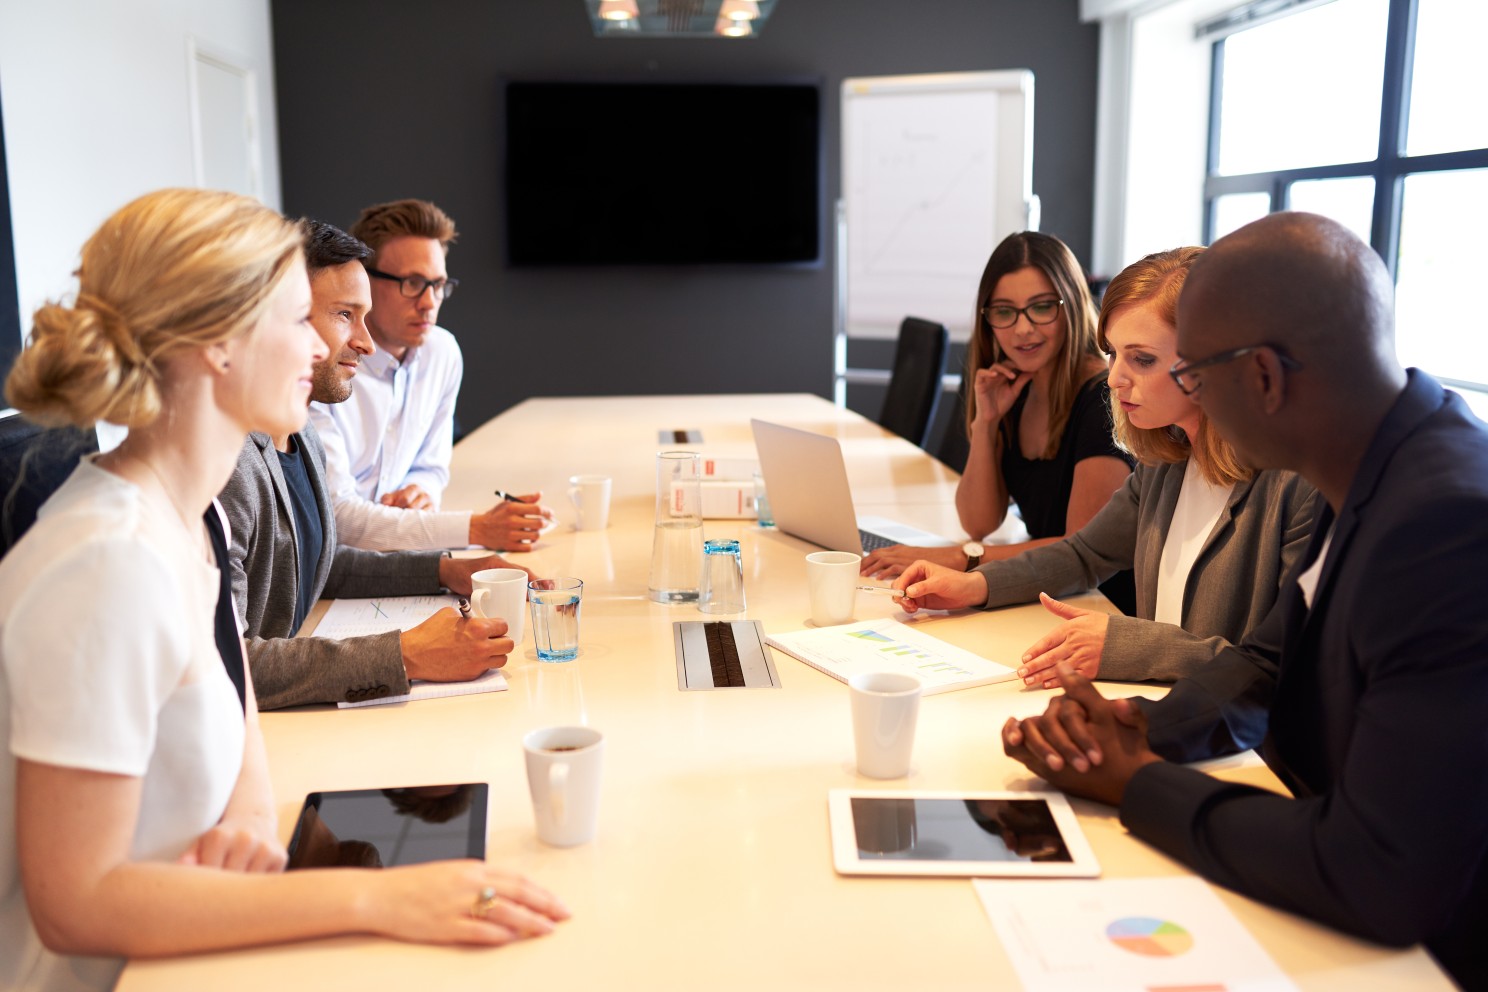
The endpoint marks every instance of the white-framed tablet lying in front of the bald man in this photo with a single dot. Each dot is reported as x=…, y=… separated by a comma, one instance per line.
x=1014, y=835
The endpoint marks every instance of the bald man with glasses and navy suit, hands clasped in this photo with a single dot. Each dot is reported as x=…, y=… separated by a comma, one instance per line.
x=1367, y=686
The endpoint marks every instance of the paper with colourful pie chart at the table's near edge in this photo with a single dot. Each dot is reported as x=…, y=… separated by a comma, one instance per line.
x=1169, y=935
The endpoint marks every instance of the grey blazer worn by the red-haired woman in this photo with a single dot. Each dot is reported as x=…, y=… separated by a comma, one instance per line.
x=1263, y=530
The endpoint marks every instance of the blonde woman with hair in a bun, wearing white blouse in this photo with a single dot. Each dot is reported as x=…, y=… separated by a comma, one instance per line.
x=136, y=814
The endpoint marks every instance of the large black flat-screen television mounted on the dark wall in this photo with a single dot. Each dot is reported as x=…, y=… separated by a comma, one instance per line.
x=663, y=173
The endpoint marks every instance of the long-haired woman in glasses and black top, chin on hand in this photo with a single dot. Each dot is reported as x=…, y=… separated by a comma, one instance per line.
x=1036, y=414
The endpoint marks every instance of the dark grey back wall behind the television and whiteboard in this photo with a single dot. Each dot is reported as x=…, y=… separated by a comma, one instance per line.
x=385, y=99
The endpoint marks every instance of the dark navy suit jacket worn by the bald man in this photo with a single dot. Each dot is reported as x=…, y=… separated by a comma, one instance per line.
x=1371, y=707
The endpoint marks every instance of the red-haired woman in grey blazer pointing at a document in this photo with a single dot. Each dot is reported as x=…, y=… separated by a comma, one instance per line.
x=1210, y=541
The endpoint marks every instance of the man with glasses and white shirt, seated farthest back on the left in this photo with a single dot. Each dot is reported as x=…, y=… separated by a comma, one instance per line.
x=388, y=448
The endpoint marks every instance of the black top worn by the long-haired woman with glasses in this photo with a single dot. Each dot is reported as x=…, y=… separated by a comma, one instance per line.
x=1042, y=487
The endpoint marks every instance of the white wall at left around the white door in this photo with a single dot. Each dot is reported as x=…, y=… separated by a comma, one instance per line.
x=97, y=111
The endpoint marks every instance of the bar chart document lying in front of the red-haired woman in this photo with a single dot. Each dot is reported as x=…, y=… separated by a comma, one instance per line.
x=889, y=646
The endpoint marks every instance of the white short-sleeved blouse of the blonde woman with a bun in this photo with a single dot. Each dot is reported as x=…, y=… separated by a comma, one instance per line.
x=109, y=664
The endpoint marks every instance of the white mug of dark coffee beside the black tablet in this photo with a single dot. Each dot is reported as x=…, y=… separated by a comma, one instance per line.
x=563, y=774
